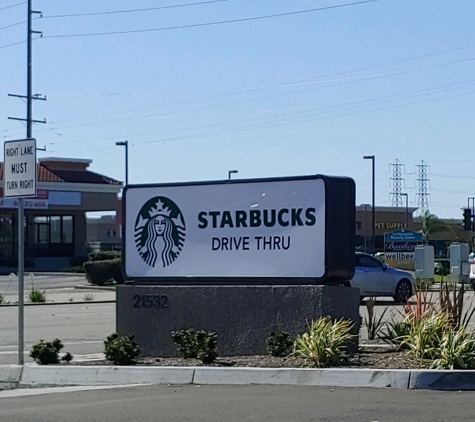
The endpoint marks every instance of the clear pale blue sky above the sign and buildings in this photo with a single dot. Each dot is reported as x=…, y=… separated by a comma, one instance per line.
x=266, y=87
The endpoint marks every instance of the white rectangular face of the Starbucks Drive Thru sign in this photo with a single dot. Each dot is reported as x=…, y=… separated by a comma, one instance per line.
x=258, y=229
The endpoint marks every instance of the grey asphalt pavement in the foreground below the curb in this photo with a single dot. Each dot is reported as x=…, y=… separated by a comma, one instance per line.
x=235, y=403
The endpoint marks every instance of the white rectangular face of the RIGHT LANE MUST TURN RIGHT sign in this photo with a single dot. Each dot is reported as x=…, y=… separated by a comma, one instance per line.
x=19, y=172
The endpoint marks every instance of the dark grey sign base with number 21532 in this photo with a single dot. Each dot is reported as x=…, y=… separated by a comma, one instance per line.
x=242, y=316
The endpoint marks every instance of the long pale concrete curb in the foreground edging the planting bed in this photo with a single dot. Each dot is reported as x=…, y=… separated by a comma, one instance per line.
x=14, y=376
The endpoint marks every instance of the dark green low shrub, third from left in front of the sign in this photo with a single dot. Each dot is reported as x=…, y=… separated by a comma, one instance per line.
x=199, y=344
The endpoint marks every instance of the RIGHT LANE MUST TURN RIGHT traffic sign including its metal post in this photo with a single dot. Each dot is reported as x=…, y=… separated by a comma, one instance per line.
x=19, y=181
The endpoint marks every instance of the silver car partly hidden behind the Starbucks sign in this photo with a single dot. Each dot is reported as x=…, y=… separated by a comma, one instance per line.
x=374, y=278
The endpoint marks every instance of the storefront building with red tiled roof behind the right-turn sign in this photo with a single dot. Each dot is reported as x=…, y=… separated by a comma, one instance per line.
x=55, y=220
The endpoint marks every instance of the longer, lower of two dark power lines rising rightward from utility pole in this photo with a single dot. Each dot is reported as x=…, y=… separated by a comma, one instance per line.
x=253, y=18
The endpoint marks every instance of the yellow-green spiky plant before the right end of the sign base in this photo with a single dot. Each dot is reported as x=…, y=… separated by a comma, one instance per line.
x=325, y=341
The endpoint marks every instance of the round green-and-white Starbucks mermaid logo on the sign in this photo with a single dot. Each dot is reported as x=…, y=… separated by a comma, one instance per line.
x=159, y=231
